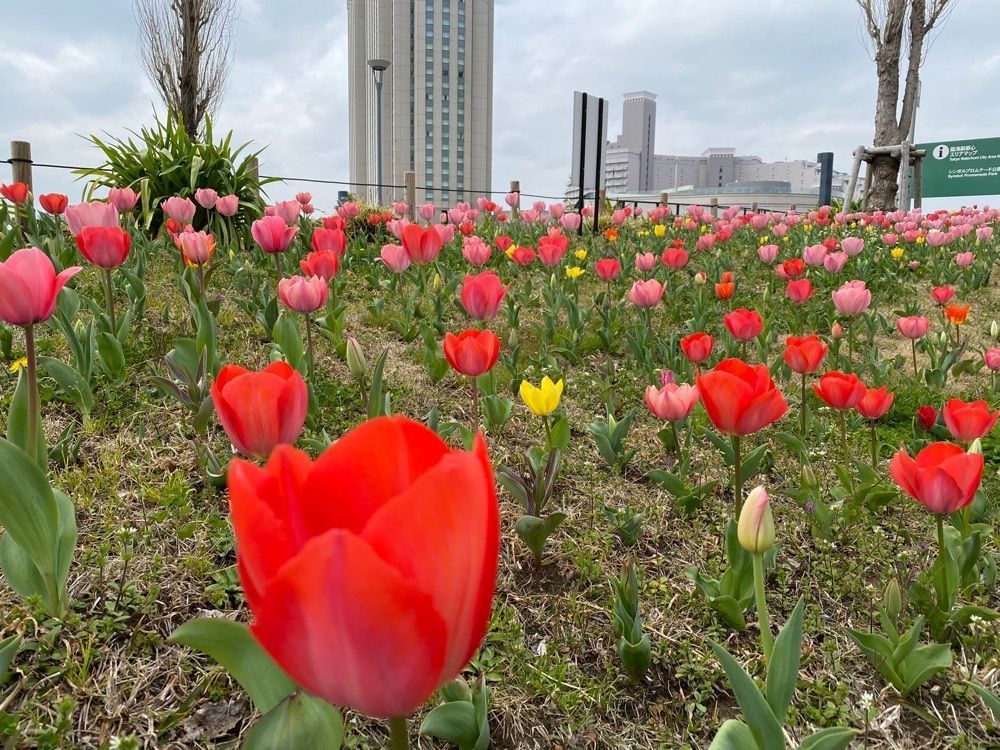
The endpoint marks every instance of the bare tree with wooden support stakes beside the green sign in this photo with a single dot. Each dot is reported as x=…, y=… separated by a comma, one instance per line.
x=898, y=32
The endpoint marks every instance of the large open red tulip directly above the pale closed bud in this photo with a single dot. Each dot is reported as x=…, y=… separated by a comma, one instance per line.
x=740, y=399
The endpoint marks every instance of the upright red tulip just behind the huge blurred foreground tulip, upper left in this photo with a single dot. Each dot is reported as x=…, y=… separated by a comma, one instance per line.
x=259, y=410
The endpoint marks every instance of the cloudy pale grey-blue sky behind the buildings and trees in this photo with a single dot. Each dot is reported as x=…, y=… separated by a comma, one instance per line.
x=776, y=78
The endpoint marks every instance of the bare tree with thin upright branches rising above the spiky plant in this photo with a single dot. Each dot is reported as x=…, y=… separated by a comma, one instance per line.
x=184, y=47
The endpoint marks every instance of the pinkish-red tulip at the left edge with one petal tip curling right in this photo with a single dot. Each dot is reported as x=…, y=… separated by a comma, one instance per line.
x=29, y=286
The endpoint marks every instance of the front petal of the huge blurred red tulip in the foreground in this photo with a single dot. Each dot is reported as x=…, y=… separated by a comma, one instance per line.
x=348, y=628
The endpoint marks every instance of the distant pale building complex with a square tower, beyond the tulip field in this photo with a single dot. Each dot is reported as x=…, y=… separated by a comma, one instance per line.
x=632, y=166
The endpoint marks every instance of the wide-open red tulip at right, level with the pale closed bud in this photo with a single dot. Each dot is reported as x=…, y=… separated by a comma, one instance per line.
x=943, y=477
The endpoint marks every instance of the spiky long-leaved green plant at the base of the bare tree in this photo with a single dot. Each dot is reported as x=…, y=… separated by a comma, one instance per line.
x=160, y=161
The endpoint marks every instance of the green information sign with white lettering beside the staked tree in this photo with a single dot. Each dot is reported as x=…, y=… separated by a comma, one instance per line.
x=969, y=167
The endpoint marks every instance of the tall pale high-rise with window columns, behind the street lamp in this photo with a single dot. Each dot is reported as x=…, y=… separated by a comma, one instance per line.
x=437, y=95
